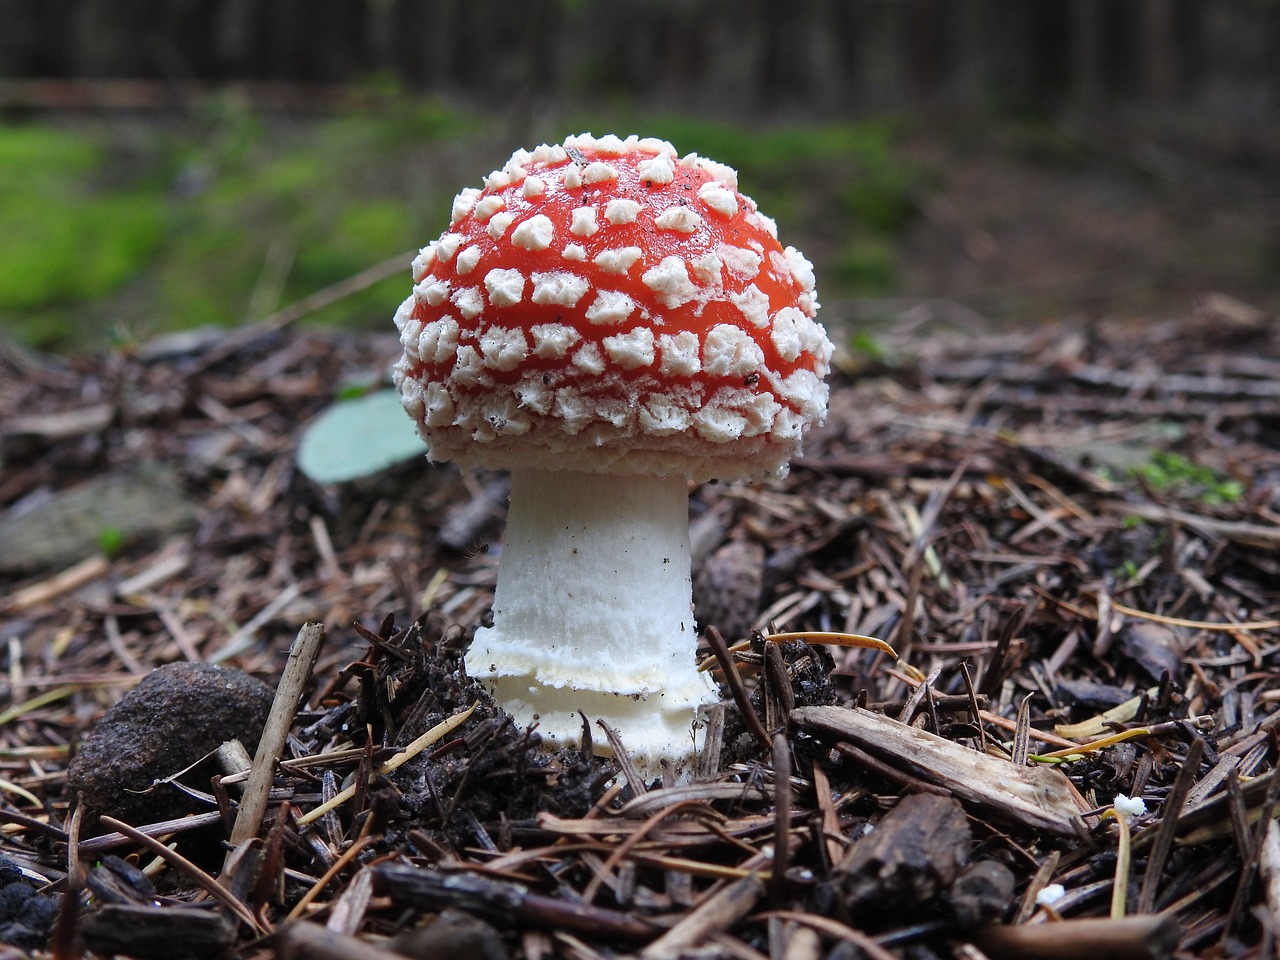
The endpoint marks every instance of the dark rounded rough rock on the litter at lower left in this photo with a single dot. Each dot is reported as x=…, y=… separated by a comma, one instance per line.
x=179, y=715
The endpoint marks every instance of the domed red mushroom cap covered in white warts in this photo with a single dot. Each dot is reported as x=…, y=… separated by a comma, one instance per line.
x=612, y=308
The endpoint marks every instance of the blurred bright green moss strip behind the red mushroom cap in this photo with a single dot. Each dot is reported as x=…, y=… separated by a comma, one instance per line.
x=218, y=221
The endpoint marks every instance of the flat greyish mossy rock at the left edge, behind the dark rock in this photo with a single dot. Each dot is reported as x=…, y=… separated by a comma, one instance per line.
x=144, y=501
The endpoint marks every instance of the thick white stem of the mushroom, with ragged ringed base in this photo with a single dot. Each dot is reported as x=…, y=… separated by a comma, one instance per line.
x=593, y=612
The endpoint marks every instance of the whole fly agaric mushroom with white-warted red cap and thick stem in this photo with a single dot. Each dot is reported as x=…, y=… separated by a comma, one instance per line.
x=609, y=321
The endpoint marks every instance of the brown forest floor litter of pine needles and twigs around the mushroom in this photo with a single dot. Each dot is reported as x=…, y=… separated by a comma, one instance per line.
x=1068, y=533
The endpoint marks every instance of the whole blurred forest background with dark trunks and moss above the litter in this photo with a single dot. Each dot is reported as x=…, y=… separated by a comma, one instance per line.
x=168, y=164
